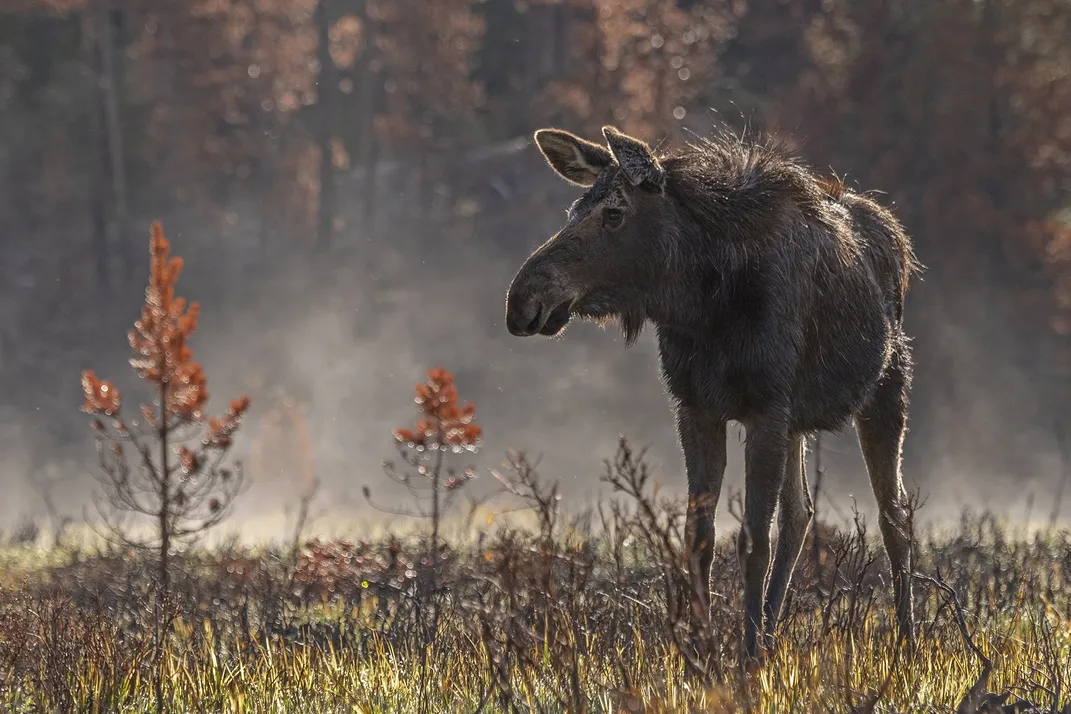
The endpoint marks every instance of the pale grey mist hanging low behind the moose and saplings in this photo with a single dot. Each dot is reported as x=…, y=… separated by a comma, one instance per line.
x=352, y=340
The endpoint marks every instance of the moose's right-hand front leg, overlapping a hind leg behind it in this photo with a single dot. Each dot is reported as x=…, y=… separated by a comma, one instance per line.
x=765, y=454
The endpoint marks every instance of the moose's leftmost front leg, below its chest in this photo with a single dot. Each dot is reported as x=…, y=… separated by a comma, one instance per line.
x=703, y=440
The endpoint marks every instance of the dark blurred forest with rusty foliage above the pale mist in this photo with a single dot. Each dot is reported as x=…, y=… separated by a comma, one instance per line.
x=279, y=125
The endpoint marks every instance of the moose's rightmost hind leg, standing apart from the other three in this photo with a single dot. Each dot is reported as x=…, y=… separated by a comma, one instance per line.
x=881, y=428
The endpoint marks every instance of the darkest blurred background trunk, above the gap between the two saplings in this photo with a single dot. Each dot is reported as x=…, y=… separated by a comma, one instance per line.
x=326, y=87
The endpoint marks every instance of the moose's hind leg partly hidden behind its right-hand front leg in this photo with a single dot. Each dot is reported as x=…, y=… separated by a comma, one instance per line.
x=795, y=514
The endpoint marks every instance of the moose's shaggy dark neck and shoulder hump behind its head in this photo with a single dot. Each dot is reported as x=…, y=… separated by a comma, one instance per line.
x=729, y=219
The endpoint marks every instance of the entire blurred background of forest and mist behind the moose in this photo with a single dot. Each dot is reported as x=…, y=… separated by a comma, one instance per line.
x=342, y=298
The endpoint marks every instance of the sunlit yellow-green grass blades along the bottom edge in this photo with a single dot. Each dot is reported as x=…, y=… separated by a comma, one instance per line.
x=235, y=676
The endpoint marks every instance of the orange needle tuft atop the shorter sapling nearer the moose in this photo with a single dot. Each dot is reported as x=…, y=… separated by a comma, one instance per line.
x=446, y=422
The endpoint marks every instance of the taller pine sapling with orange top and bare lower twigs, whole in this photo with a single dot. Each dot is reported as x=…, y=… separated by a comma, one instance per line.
x=168, y=467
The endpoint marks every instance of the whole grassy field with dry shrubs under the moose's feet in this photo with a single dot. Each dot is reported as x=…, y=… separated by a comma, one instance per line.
x=579, y=614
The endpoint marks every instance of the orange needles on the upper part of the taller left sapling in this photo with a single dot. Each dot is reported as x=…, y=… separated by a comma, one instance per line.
x=159, y=340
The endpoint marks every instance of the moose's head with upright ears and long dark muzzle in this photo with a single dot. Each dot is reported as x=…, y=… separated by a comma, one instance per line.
x=608, y=257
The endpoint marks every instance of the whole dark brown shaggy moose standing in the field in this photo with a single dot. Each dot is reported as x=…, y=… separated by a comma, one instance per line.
x=777, y=297
